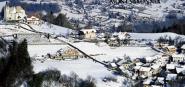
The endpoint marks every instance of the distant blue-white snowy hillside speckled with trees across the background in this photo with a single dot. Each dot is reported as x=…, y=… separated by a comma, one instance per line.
x=142, y=17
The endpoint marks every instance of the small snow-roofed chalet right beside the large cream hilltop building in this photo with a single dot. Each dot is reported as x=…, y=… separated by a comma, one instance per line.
x=33, y=19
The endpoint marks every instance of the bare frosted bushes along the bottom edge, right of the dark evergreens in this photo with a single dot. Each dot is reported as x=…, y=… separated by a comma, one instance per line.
x=53, y=78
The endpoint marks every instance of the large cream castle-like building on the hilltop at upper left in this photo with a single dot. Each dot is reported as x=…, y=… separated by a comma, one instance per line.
x=15, y=13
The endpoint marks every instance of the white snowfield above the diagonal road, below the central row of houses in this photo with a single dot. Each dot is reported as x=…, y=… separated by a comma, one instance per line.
x=108, y=53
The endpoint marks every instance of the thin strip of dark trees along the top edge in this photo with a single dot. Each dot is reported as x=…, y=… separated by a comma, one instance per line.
x=135, y=1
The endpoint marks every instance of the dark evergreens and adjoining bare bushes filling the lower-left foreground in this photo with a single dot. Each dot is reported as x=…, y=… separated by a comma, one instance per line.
x=17, y=69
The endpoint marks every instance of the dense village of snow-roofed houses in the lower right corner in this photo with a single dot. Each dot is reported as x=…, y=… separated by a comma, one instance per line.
x=156, y=71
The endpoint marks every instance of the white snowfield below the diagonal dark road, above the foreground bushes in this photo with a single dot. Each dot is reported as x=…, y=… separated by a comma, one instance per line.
x=83, y=68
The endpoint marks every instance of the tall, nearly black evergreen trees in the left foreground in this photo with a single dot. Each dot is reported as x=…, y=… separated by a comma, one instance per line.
x=18, y=67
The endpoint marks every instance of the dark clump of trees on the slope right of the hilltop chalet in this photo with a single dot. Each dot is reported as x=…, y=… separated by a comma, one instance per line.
x=60, y=20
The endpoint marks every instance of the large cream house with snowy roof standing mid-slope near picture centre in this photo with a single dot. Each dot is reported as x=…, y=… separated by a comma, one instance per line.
x=88, y=34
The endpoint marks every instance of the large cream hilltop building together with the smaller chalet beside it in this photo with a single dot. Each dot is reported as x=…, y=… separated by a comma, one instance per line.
x=18, y=14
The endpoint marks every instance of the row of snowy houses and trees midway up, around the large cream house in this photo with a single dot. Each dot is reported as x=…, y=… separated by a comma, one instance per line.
x=112, y=39
